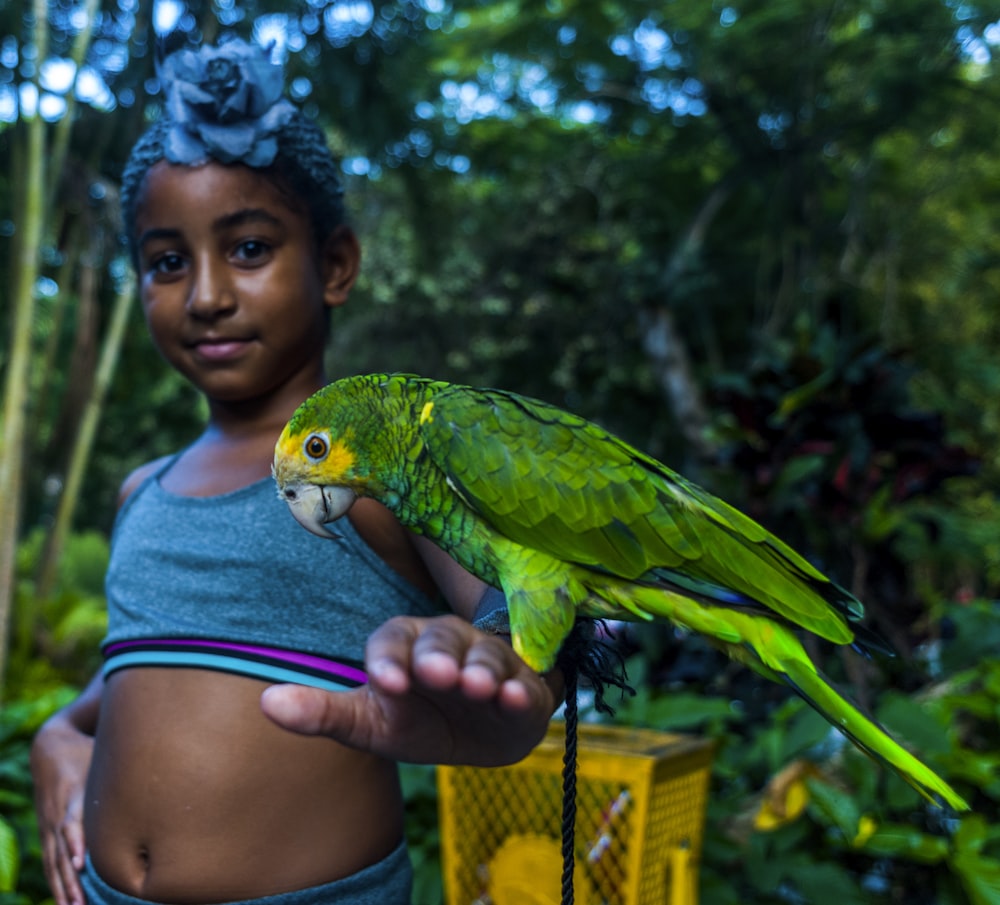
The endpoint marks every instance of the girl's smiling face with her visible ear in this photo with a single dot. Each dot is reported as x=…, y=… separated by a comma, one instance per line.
x=232, y=284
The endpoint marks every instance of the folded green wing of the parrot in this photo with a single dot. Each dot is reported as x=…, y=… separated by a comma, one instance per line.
x=554, y=482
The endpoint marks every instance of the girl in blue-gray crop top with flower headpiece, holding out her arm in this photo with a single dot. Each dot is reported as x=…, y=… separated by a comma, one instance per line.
x=172, y=778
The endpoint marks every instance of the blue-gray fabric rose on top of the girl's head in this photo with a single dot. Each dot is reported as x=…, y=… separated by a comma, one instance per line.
x=224, y=103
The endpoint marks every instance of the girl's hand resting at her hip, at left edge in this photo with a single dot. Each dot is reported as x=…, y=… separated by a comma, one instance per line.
x=60, y=760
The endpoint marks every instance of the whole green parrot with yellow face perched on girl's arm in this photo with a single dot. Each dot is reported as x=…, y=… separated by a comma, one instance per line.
x=568, y=521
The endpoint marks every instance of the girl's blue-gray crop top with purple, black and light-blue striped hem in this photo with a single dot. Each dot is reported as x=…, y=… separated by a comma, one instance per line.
x=233, y=582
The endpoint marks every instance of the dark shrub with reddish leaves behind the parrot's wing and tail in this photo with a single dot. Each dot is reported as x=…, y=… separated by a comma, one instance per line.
x=817, y=426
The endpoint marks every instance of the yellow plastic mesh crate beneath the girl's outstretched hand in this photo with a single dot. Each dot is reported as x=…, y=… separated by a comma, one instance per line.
x=641, y=799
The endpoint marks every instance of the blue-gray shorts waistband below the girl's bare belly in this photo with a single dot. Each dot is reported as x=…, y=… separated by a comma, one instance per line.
x=387, y=882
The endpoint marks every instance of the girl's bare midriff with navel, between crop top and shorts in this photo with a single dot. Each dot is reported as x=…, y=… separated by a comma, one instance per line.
x=195, y=796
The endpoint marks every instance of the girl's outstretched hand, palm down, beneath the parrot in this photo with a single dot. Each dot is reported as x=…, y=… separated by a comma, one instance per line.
x=439, y=691
